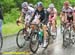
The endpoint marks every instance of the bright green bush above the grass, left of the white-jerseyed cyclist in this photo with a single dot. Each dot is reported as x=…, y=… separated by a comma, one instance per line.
x=12, y=16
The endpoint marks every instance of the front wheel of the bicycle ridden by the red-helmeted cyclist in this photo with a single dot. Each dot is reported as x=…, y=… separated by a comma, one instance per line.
x=66, y=35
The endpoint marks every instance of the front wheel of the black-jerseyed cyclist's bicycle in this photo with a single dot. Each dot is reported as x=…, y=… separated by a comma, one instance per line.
x=34, y=42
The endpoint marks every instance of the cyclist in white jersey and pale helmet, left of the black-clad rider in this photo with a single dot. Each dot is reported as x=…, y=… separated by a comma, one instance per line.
x=26, y=13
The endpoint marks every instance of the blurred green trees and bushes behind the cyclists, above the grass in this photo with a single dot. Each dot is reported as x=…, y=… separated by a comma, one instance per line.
x=12, y=8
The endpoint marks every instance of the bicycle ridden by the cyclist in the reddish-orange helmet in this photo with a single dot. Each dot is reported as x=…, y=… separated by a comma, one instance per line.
x=67, y=35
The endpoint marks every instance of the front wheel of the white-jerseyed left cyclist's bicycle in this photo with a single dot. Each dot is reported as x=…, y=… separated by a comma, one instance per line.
x=20, y=39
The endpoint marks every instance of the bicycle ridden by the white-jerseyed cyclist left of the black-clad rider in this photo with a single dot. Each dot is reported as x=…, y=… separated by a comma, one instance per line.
x=23, y=35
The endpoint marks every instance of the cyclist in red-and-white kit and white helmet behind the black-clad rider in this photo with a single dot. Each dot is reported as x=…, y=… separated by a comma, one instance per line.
x=52, y=17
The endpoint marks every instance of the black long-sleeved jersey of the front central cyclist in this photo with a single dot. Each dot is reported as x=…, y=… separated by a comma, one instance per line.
x=43, y=16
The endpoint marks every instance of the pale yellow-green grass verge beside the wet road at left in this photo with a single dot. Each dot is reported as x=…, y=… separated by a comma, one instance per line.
x=10, y=28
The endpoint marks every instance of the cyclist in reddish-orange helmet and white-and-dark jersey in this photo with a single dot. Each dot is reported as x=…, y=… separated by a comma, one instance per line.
x=67, y=12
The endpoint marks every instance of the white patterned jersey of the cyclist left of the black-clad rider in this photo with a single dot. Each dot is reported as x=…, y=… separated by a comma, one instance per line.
x=28, y=14
